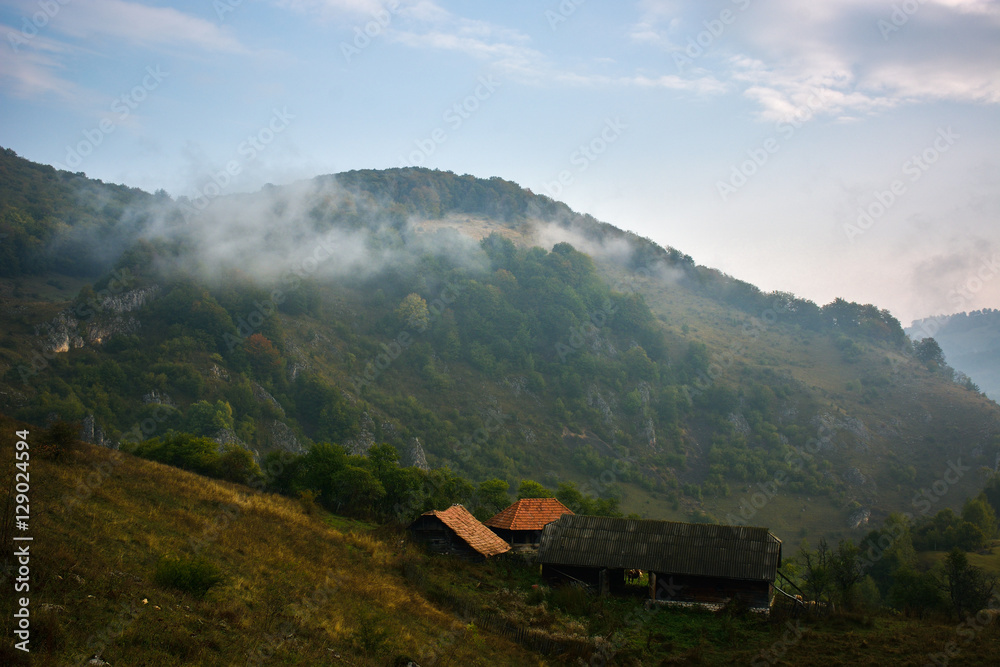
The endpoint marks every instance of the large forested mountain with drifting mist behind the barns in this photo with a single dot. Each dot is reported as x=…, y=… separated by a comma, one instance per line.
x=474, y=327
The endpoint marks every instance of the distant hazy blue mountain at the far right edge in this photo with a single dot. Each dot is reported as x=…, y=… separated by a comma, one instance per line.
x=970, y=342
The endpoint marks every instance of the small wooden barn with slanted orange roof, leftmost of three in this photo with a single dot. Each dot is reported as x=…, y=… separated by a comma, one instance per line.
x=456, y=532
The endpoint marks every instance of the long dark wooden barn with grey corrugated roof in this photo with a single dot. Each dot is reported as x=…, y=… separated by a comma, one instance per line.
x=687, y=562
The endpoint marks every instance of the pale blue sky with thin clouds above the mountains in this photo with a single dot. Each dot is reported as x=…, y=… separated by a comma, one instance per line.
x=845, y=148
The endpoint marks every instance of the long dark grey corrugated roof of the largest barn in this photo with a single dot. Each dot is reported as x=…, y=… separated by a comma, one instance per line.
x=734, y=552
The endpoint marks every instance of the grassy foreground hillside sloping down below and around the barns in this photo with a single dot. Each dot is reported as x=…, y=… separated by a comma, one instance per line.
x=294, y=585
